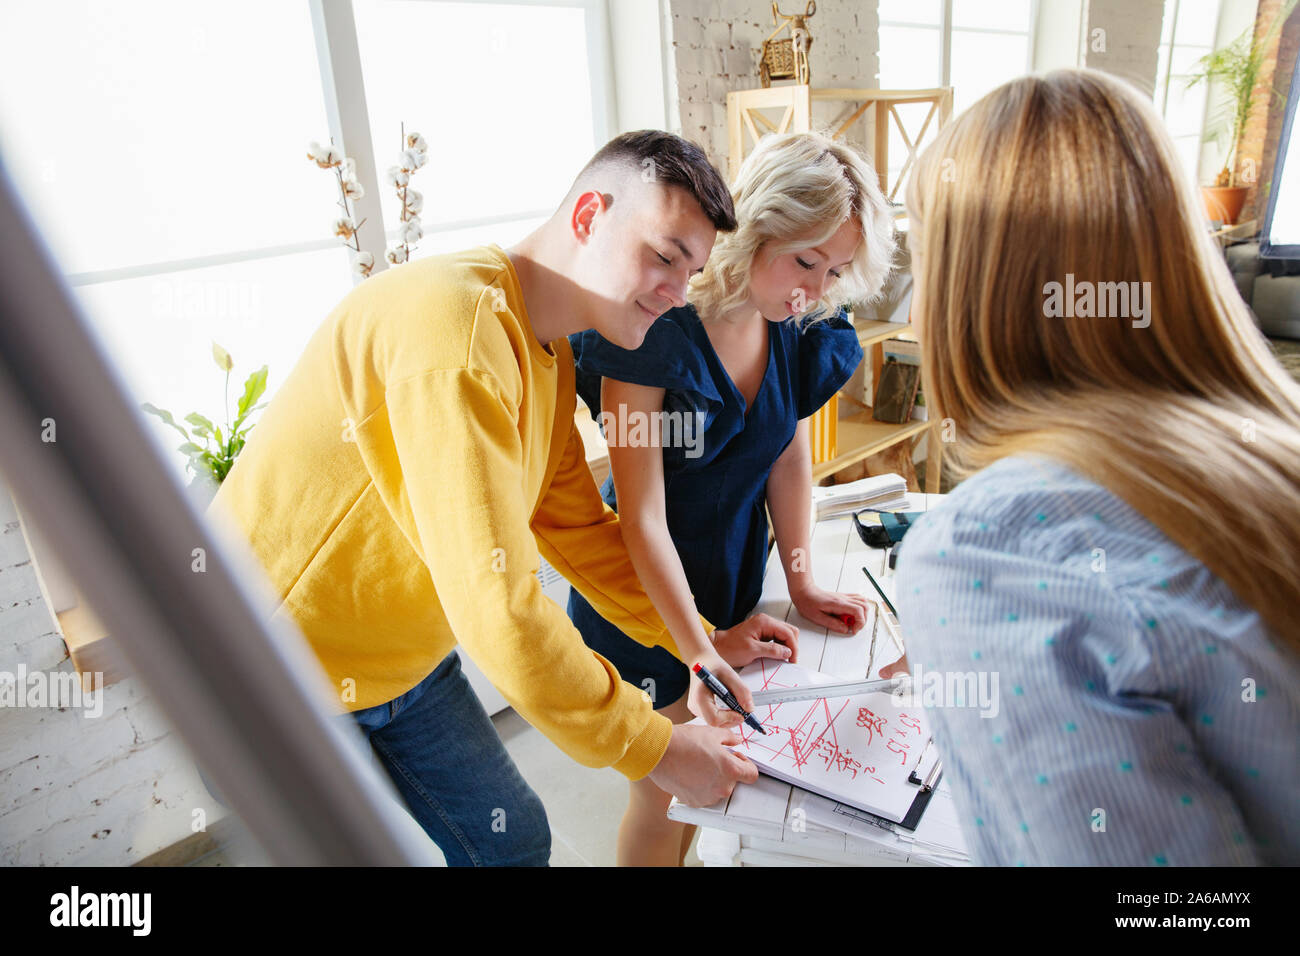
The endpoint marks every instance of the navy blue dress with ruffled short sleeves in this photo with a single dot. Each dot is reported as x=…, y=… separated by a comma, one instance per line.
x=716, y=486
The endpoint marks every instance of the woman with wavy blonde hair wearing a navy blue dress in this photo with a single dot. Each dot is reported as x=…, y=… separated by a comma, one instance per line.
x=761, y=348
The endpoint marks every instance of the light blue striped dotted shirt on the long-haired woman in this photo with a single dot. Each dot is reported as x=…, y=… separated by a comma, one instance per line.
x=1143, y=713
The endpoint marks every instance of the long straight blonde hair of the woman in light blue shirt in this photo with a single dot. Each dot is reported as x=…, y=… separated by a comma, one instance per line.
x=1185, y=414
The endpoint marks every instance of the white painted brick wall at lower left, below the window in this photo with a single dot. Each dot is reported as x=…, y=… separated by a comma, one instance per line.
x=93, y=791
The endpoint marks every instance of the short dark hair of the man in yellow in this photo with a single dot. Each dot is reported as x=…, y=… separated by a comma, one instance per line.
x=674, y=162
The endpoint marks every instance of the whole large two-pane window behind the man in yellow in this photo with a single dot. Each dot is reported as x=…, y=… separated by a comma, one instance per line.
x=162, y=150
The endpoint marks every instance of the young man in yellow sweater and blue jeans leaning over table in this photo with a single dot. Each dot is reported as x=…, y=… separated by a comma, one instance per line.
x=402, y=482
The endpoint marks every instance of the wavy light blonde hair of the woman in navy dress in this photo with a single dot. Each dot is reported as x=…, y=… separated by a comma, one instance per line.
x=795, y=191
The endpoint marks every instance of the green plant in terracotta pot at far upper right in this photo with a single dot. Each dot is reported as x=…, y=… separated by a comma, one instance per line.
x=1237, y=66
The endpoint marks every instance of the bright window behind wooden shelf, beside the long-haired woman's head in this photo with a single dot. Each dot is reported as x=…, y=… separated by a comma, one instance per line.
x=970, y=45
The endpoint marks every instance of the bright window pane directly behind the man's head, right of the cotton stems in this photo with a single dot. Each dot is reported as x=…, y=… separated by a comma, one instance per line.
x=509, y=98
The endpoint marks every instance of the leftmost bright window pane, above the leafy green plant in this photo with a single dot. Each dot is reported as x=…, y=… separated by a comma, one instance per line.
x=172, y=188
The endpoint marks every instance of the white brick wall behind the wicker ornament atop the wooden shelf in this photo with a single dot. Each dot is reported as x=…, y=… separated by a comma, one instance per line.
x=717, y=46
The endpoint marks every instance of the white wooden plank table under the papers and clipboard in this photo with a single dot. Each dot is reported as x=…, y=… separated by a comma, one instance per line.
x=772, y=823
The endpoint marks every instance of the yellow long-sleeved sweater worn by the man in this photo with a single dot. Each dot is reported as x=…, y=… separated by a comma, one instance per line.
x=398, y=490
